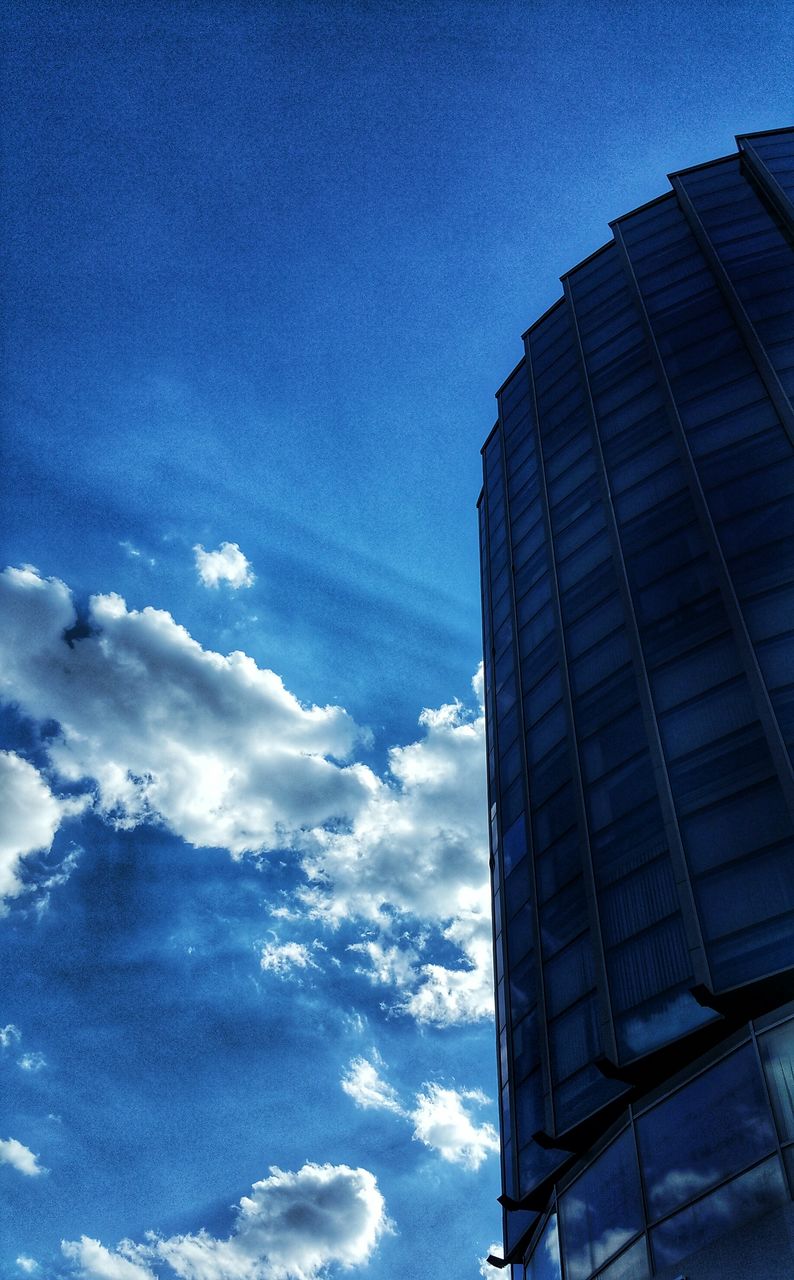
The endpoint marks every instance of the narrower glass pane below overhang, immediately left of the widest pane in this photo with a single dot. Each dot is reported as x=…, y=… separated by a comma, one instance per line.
x=603, y=1210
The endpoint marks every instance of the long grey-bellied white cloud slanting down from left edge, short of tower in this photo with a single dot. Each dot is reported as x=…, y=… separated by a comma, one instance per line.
x=215, y=747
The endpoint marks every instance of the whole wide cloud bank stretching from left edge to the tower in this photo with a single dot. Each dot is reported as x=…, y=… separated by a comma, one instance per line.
x=217, y=749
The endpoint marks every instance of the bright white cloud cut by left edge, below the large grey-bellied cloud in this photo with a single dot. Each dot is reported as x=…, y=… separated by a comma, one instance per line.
x=30, y=816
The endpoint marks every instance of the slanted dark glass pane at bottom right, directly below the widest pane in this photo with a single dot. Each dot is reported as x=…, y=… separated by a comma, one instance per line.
x=724, y=1212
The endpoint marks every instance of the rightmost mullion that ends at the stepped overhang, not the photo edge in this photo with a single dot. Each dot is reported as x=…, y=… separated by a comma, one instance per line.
x=690, y=913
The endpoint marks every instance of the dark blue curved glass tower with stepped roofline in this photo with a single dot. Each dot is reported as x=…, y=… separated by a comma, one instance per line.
x=638, y=598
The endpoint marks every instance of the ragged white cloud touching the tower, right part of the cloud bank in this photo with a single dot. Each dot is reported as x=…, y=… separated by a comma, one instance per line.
x=419, y=848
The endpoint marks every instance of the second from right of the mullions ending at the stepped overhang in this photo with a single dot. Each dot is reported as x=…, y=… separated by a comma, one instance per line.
x=609, y=1043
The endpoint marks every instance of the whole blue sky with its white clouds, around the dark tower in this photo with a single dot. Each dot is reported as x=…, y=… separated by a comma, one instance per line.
x=266, y=266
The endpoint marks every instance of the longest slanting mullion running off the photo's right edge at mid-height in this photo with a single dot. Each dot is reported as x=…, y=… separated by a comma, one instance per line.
x=745, y=646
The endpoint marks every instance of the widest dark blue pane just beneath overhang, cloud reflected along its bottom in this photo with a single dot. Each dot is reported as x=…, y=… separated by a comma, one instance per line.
x=683, y=1151
